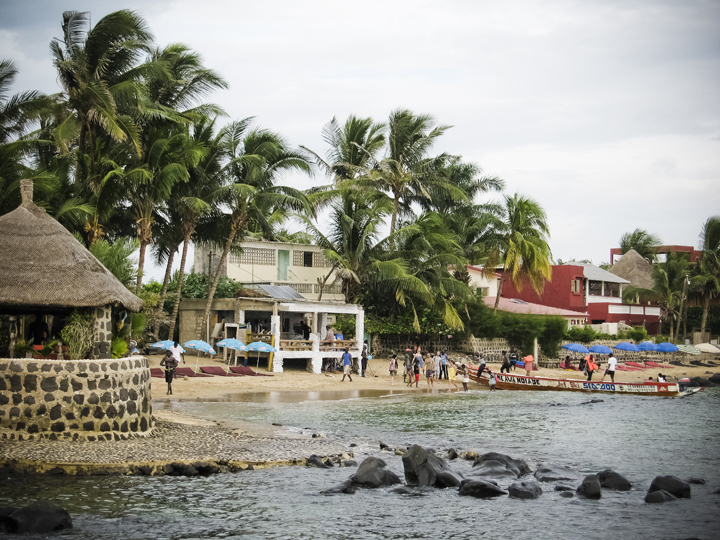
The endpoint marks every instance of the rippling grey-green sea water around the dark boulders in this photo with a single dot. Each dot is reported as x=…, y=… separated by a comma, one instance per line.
x=640, y=437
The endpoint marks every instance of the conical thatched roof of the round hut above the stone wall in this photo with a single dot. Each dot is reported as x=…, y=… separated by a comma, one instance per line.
x=42, y=264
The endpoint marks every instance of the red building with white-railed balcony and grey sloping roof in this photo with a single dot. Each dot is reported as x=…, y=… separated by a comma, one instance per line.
x=585, y=288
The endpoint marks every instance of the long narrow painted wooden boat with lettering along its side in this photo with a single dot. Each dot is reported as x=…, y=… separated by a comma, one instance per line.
x=507, y=381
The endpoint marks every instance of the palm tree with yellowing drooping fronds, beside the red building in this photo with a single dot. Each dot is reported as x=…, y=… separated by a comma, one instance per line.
x=521, y=245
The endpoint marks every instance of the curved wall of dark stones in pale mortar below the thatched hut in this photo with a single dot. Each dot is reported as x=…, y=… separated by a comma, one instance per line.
x=87, y=400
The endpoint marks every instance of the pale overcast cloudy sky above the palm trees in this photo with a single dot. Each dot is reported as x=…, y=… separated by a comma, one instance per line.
x=605, y=112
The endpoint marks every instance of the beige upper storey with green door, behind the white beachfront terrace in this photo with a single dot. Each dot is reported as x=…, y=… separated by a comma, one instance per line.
x=300, y=266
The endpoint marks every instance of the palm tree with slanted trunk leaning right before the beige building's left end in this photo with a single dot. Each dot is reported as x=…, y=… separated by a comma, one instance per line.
x=257, y=159
